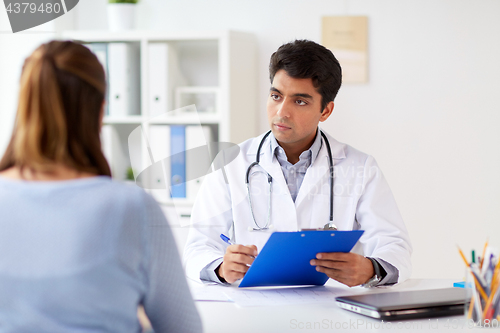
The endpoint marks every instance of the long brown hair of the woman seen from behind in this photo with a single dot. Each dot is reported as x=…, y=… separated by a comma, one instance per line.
x=58, y=116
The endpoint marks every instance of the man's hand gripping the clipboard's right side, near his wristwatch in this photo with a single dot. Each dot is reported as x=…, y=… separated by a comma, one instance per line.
x=350, y=269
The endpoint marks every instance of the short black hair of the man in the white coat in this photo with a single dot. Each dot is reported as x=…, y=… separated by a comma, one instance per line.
x=304, y=59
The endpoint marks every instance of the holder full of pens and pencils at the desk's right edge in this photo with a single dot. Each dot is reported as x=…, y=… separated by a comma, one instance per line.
x=482, y=304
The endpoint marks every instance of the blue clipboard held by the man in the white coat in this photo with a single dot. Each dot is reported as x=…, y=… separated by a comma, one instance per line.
x=285, y=258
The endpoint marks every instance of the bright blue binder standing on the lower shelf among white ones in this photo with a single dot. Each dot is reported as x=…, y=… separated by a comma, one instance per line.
x=178, y=161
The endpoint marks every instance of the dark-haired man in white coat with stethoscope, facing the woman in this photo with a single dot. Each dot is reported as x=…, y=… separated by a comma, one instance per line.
x=290, y=186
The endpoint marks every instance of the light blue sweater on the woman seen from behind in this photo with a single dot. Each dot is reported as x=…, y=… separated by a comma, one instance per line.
x=81, y=255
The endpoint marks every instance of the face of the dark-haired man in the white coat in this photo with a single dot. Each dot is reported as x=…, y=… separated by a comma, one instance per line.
x=294, y=111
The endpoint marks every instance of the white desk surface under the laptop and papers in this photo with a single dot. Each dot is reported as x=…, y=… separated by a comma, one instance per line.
x=220, y=317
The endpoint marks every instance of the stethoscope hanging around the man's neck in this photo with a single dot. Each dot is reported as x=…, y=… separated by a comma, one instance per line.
x=328, y=226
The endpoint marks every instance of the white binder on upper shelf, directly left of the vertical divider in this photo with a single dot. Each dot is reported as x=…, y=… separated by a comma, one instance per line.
x=124, y=79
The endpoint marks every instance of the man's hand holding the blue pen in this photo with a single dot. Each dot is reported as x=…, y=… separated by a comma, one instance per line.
x=236, y=262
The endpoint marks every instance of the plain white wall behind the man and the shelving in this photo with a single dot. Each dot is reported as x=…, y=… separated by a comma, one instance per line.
x=429, y=113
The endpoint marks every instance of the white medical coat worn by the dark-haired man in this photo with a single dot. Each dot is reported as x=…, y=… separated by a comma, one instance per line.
x=362, y=200
